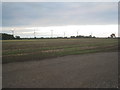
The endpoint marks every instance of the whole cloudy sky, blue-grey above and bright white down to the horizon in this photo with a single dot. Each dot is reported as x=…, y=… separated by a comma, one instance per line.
x=98, y=18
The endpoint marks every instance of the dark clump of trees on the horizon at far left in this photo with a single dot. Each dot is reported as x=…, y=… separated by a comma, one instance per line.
x=4, y=36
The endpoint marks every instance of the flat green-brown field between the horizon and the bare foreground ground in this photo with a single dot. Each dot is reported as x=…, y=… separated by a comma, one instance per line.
x=39, y=49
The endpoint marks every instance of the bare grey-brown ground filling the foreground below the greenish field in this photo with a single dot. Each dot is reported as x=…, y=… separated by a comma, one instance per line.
x=99, y=70
